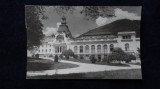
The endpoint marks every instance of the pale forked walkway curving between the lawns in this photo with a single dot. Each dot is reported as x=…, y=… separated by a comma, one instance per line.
x=83, y=68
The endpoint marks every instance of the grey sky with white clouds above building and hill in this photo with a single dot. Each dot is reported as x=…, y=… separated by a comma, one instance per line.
x=78, y=24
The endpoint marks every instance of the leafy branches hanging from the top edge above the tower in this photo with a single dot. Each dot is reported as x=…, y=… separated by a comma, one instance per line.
x=91, y=12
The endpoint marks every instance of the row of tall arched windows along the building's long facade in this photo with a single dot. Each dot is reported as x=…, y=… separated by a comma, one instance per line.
x=85, y=49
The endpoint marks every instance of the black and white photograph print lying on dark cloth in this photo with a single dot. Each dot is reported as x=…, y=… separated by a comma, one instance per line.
x=83, y=42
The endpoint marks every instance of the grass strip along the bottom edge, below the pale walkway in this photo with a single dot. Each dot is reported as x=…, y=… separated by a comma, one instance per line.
x=115, y=74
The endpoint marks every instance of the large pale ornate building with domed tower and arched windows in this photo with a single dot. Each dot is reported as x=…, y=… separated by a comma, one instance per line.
x=94, y=42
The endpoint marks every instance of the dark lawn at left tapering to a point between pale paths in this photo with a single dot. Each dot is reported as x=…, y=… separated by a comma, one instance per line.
x=44, y=64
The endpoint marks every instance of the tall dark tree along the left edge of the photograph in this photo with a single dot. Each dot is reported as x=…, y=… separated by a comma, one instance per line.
x=33, y=25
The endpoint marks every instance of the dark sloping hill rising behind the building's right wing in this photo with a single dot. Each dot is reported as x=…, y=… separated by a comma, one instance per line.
x=115, y=27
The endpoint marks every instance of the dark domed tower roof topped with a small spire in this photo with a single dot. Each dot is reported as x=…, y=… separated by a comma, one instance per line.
x=64, y=28
